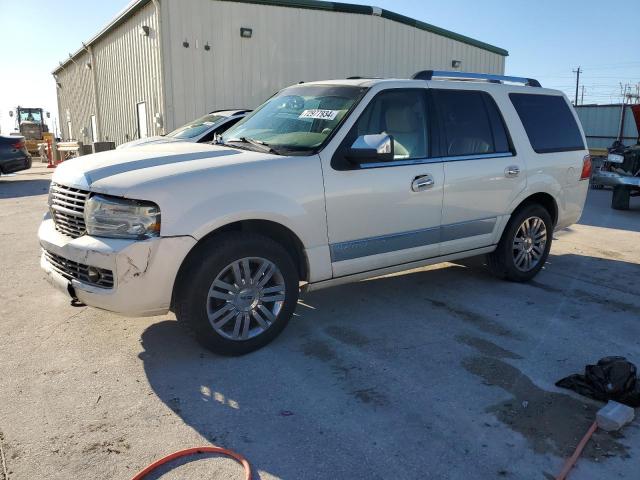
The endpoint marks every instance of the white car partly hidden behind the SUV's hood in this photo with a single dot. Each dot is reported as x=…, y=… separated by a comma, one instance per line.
x=203, y=129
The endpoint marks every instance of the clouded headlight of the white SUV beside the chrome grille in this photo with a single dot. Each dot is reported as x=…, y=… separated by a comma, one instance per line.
x=115, y=217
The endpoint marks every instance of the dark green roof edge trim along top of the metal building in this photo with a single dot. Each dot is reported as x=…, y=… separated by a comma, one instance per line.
x=367, y=10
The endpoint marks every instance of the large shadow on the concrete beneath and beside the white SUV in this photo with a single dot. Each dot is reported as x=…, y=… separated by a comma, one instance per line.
x=370, y=376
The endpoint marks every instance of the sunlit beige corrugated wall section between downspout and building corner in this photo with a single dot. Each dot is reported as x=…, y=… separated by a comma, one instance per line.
x=128, y=72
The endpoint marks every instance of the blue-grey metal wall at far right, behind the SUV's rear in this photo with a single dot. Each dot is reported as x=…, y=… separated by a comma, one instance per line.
x=601, y=124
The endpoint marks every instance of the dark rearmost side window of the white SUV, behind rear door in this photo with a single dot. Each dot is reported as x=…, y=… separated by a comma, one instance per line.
x=548, y=121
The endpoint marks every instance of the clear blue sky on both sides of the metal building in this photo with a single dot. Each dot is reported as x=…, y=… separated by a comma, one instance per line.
x=545, y=39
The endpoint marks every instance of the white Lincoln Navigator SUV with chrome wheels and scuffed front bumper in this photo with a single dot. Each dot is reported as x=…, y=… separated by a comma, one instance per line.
x=327, y=182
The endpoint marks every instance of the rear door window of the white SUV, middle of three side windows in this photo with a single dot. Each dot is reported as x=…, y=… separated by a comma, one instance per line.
x=471, y=123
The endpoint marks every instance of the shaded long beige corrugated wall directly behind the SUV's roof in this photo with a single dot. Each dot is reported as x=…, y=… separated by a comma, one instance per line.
x=289, y=45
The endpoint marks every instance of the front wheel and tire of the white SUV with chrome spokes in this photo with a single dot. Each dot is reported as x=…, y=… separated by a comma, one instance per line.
x=237, y=292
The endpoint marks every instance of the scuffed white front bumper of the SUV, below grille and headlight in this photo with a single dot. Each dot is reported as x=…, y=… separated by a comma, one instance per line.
x=129, y=277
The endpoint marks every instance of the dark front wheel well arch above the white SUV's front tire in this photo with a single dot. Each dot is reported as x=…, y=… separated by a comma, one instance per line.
x=275, y=231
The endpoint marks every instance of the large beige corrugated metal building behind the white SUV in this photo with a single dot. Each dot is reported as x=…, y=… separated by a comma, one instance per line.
x=161, y=63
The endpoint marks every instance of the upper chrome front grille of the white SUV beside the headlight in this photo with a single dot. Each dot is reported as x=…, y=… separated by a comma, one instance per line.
x=67, y=209
